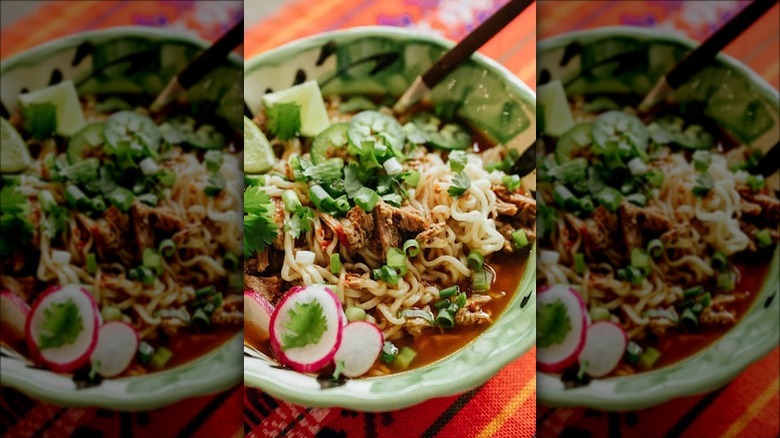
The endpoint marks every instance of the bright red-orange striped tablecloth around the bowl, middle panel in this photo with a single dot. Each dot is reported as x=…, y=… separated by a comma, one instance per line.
x=506, y=405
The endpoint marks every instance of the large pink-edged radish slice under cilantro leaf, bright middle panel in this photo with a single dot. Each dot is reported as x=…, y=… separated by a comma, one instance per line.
x=314, y=356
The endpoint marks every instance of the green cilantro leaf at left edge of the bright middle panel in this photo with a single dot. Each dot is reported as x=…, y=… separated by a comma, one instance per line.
x=259, y=227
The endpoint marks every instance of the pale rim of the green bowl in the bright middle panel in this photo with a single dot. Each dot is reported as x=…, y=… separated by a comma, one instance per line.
x=510, y=351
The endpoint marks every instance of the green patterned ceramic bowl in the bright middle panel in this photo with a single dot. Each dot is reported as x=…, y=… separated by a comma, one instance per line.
x=386, y=60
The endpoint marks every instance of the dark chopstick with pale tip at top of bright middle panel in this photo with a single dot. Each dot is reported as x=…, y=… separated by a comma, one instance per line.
x=423, y=84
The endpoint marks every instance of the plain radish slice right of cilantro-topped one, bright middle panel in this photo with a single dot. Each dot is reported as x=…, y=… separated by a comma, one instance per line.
x=360, y=347
